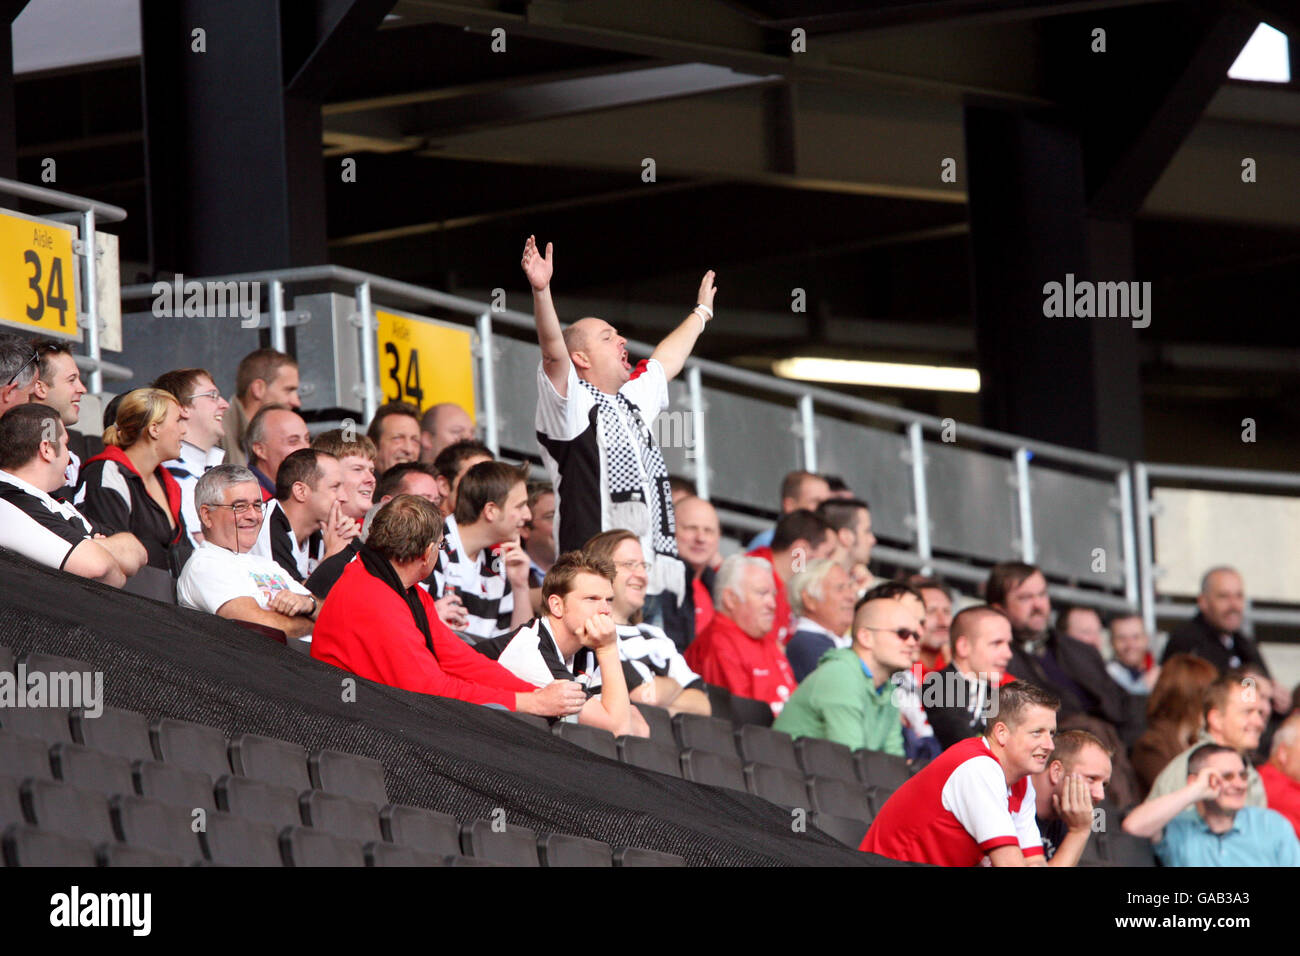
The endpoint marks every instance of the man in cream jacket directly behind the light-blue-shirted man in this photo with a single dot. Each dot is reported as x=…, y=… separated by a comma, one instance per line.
x=1237, y=711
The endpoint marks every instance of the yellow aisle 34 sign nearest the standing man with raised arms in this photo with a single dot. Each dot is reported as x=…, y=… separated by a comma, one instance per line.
x=424, y=362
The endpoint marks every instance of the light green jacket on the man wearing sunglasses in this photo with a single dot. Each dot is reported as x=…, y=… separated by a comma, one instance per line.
x=840, y=703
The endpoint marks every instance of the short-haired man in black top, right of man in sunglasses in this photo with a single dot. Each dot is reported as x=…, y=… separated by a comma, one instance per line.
x=963, y=698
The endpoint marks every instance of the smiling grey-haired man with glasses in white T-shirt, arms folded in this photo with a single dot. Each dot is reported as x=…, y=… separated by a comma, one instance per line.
x=223, y=578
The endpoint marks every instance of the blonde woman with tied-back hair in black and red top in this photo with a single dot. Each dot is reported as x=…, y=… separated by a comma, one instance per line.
x=128, y=488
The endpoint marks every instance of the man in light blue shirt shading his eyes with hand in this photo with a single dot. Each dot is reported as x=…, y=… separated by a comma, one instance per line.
x=1223, y=830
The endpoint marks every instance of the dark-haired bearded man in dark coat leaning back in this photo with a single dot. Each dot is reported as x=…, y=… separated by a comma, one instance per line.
x=1071, y=669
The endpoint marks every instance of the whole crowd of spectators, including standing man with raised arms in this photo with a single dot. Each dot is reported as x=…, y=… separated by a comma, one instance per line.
x=409, y=555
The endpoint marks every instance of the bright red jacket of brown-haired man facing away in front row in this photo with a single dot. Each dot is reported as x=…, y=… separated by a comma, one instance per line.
x=367, y=629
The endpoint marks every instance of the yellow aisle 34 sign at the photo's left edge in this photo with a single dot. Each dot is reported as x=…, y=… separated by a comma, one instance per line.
x=40, y=280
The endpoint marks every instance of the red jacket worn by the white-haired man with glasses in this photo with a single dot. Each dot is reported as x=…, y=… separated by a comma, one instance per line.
x=748, y=667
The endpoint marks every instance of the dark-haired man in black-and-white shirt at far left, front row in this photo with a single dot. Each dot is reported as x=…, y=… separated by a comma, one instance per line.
x=33, y=464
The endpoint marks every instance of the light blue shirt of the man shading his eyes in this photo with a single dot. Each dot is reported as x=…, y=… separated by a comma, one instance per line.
x=1258, y=838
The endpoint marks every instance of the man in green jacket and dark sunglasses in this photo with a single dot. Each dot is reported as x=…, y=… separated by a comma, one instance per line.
x=851, y=698
